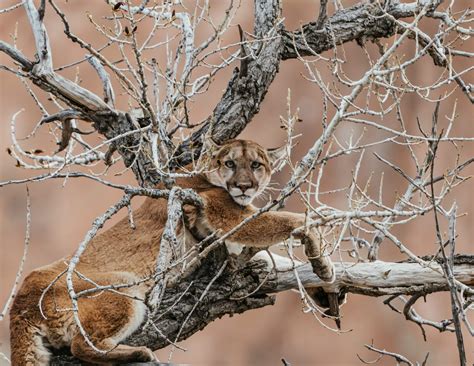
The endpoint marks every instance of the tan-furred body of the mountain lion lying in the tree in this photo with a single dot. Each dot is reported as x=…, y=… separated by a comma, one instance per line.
x=123, y=255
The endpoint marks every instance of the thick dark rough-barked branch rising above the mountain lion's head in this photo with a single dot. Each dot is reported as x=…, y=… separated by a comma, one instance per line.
x=245, y=92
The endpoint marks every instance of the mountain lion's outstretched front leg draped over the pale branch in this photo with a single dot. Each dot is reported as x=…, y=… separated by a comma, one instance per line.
x=269, y=228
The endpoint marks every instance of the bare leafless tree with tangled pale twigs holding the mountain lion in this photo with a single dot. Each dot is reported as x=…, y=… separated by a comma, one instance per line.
x=152, y=67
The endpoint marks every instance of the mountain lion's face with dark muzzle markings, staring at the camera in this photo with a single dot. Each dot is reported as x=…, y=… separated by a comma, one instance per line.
x=243, y=168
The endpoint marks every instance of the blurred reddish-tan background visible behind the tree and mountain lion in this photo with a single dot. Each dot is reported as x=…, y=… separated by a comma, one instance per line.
x=62, y=211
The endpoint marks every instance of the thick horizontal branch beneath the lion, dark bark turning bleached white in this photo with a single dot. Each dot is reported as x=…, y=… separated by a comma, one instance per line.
x=233, y=292
